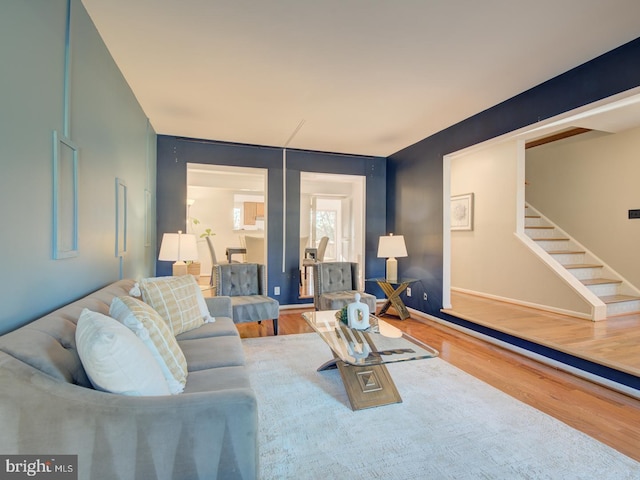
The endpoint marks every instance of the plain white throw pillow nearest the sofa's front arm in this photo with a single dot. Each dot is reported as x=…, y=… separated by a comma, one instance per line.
x=115, y=359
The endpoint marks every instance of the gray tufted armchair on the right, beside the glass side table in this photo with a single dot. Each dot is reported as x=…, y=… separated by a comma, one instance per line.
x=335, y=285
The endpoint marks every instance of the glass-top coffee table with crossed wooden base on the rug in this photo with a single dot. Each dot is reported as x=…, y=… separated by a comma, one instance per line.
x=360, y=356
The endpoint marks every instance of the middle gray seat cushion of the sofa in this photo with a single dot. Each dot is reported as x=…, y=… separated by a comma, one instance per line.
x=212, y=352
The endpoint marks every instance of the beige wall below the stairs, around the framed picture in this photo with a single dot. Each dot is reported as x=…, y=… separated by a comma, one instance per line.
x=491, y=259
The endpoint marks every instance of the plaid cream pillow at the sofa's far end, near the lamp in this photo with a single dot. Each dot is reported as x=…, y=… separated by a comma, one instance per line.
x=176, y=300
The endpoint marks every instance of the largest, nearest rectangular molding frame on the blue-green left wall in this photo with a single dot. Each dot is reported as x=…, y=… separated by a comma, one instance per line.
x=65, y=197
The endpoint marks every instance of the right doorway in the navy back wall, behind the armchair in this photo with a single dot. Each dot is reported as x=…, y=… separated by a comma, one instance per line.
x=332, y=206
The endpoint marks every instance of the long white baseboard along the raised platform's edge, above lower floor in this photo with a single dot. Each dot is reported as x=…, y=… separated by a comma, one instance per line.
x=605, y=382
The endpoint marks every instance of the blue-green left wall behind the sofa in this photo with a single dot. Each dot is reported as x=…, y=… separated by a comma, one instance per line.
x=114, y=140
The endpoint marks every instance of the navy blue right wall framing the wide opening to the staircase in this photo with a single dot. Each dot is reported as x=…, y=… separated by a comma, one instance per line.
x=415, y=173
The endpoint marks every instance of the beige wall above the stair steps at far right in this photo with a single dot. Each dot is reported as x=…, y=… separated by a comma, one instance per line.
x=586, y=186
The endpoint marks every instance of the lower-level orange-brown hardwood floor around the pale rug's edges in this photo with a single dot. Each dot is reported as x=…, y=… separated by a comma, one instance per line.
x=608, y=416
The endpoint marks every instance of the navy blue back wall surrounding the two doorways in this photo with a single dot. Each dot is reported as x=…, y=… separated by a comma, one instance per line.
x=174, y=153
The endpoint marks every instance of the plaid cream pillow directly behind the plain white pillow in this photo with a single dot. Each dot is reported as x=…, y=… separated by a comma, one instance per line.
x=147, y=324
